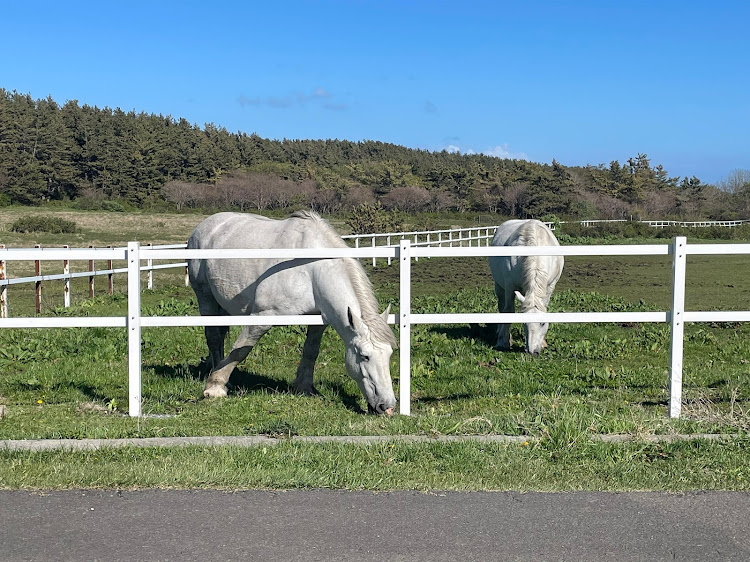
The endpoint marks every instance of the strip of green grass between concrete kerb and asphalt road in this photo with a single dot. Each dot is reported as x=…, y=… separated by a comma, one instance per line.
x=387, y=466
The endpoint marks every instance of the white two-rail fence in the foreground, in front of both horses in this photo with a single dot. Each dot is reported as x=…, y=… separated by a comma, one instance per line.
x=134, y=322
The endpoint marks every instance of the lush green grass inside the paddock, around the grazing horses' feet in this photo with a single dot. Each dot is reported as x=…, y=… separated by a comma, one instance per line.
x=594, y=378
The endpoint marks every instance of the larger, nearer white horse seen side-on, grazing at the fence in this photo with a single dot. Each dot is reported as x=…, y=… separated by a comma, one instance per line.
x=338, y=289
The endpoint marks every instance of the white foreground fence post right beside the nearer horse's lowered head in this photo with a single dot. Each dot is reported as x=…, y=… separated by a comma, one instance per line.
x=404, y=327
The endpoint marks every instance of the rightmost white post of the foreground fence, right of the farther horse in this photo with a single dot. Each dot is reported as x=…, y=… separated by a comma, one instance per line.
x=677, y=325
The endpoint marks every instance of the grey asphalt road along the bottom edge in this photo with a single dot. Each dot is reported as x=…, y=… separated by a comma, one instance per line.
x=335, y=525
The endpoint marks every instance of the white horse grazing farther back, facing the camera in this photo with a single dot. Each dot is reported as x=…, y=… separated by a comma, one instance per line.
x=530, y=278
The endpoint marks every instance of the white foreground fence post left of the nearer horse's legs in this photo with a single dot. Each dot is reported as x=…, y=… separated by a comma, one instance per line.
x=134, y=329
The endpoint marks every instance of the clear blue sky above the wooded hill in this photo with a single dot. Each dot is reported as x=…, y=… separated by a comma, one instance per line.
x=582, y=82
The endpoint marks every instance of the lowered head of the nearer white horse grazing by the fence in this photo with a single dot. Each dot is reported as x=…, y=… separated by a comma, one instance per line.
x=368, y=362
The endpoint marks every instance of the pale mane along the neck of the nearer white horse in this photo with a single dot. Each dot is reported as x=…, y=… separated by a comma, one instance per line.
x=361, y=284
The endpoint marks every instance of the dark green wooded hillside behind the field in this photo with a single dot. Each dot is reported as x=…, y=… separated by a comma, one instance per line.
x=107, y=158
